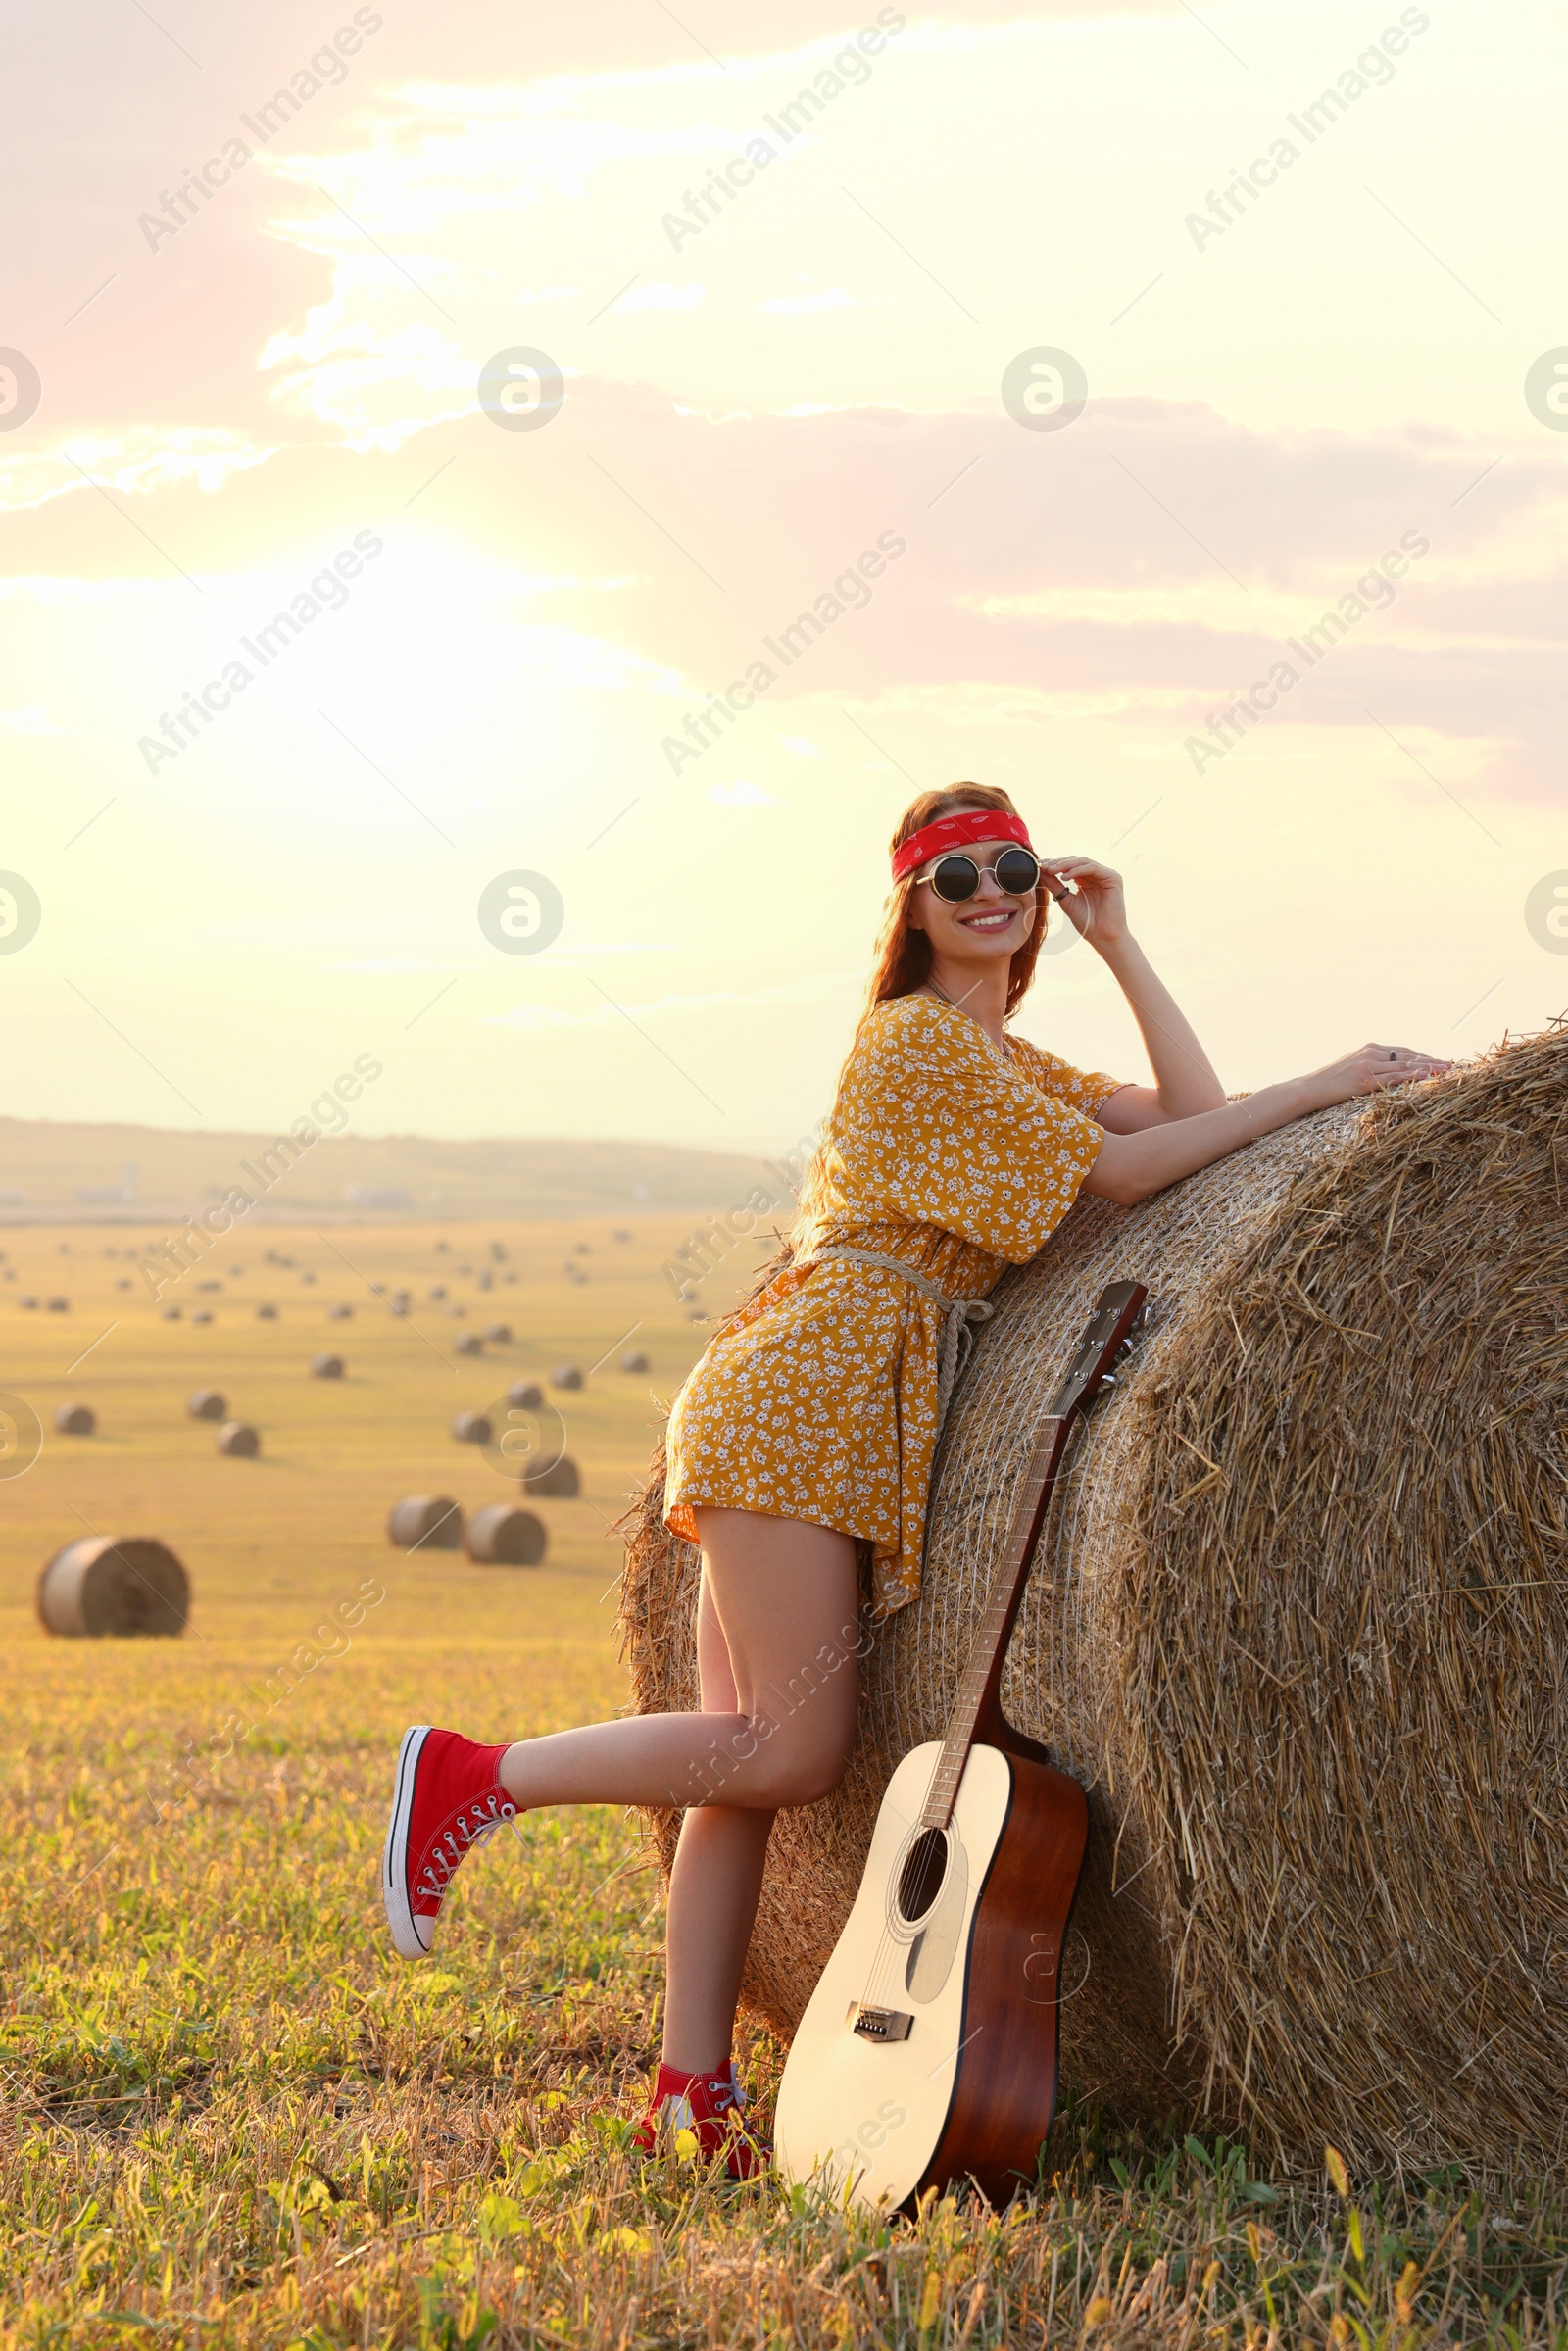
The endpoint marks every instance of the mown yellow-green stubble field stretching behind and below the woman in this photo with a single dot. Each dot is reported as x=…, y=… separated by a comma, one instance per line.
x=229, y=2117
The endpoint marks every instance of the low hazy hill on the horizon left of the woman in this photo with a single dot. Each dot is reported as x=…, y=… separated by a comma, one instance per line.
x=130, y=1174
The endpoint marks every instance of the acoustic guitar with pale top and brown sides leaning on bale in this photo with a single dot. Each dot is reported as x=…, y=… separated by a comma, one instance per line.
x=930, y=2047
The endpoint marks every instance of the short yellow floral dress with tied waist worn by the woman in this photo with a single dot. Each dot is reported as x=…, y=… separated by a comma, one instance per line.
x=819, y=1400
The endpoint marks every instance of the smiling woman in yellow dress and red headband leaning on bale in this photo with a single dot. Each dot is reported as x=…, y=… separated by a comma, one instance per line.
x=810, y=1424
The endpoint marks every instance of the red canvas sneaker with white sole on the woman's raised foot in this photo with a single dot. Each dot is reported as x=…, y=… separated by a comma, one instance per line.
x=445, y=1804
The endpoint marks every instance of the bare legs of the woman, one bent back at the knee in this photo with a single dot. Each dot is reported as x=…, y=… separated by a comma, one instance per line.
x=779, y=1649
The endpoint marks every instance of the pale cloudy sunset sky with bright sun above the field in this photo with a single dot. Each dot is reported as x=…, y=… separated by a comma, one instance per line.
x=1066, y=368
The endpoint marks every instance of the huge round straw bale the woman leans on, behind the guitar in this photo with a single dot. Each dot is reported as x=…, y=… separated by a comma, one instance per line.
x=1299, y=1626
